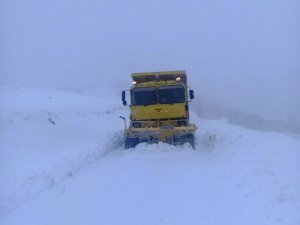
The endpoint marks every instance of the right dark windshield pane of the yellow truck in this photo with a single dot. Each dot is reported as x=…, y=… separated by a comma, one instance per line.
x=171, y=94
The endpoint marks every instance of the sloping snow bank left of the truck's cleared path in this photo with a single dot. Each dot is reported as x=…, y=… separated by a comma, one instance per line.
x=48, y=135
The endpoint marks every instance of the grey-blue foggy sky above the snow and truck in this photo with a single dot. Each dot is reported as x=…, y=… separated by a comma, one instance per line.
x=242, y=55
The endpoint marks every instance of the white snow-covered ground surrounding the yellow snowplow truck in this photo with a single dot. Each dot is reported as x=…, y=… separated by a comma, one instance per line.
x=61, y=162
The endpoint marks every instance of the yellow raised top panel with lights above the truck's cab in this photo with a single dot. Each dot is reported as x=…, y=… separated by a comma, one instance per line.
x=160, y=76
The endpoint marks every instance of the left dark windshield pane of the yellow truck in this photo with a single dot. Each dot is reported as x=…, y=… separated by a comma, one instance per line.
x=144, y=96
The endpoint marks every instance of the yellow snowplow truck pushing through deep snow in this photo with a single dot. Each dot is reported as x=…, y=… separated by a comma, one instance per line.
x=159, y=109
